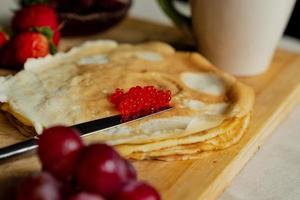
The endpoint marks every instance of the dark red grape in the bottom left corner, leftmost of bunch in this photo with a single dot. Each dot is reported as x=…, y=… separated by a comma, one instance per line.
x=39, y=187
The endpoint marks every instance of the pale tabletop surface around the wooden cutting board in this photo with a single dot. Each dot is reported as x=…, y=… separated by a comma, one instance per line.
x=274, y=172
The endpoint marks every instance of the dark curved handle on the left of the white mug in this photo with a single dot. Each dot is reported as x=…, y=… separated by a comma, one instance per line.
x=179, y=19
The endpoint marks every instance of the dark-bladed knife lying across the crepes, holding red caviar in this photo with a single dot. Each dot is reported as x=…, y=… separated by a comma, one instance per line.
x=84, y=129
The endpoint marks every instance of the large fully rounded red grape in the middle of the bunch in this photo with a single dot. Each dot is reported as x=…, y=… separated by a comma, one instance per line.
x=101, y=170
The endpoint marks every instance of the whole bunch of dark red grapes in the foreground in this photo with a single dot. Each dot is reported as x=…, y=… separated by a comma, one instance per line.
x=73, y=171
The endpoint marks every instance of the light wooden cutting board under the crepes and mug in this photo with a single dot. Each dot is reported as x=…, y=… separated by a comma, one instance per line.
x=277, y=91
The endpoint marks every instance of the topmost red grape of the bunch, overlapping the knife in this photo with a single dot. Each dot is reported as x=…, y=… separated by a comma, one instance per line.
x=58, y=148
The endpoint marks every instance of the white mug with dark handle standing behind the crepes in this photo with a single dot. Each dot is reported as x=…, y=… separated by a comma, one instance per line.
x=238, y=36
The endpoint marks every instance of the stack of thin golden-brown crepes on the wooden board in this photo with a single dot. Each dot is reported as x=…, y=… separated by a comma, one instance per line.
x=211, y=109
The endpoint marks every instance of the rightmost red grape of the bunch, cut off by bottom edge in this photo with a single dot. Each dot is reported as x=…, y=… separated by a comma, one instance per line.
x=135, y=190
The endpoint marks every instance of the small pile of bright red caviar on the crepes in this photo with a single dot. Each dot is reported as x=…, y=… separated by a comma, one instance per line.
x=140, y=101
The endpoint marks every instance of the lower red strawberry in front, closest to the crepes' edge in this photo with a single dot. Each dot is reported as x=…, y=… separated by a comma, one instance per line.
x=30, y=45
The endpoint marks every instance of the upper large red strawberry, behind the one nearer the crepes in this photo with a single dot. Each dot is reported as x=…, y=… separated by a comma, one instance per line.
x=36, y=15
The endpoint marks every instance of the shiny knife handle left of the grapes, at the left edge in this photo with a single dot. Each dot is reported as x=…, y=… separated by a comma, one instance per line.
x=17, y=149
